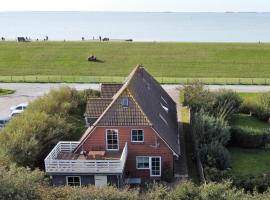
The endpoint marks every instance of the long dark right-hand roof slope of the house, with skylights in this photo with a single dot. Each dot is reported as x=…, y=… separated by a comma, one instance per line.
x=155, y=101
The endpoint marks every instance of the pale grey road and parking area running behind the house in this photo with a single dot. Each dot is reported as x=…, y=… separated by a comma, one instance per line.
x=26, y=92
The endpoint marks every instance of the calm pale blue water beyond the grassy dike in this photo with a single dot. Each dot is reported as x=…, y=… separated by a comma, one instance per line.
x=203, y=27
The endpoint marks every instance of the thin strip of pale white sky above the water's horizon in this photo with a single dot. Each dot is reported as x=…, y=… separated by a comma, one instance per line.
x=137, y=5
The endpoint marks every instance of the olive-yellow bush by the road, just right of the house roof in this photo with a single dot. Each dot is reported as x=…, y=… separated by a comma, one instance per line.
x=197, y=98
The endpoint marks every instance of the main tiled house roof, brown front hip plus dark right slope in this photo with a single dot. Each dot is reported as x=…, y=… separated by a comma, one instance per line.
x=149, y=104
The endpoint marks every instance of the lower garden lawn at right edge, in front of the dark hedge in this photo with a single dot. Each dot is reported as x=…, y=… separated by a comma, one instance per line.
x=250, y=161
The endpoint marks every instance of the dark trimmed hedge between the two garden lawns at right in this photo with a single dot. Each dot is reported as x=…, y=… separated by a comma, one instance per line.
x=247, y=137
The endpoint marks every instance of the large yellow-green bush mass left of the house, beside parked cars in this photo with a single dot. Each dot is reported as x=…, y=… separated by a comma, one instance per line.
x=29, y=137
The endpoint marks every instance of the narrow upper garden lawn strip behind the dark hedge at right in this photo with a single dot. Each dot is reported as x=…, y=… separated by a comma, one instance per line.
x=245, y=120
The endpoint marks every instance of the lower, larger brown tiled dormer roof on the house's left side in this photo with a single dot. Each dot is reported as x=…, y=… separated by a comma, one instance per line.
x=96, y=106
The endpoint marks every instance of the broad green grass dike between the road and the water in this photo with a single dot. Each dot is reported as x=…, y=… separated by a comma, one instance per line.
x=215, y=63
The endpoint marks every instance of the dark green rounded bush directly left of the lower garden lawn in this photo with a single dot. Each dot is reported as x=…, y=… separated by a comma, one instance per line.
x=215, y=155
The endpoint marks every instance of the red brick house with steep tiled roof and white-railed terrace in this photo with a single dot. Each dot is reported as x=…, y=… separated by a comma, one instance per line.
x=132, y=137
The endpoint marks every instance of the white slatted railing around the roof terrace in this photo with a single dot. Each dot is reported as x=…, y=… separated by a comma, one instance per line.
x=54, y=165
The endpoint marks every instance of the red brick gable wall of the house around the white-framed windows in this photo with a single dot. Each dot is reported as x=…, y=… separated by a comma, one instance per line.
x=97, y=139
